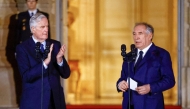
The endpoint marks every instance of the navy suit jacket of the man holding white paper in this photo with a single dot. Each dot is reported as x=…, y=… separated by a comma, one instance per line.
x=154, y=69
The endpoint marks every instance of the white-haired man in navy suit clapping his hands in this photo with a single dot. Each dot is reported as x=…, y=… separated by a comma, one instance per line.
x=41, y=62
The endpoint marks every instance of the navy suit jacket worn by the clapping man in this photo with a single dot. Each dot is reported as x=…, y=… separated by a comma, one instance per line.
x=31, y=70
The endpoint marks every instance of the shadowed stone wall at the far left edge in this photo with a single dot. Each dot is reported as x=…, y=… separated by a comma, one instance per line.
x=7, y=61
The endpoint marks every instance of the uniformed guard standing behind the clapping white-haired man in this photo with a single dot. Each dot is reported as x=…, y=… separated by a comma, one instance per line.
x=23, y=29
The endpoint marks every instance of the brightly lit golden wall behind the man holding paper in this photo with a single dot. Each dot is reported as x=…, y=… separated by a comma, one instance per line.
x=97, y=30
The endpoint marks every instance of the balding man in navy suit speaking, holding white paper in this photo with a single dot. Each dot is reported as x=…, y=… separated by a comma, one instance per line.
x=153, y=73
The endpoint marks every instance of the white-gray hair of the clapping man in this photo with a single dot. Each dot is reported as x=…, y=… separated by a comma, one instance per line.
x=35, y=19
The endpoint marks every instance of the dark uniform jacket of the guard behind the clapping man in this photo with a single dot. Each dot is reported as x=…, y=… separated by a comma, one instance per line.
x=23, y=29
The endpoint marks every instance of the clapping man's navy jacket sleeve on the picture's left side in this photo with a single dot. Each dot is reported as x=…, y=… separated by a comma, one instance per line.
x=29, y=72
